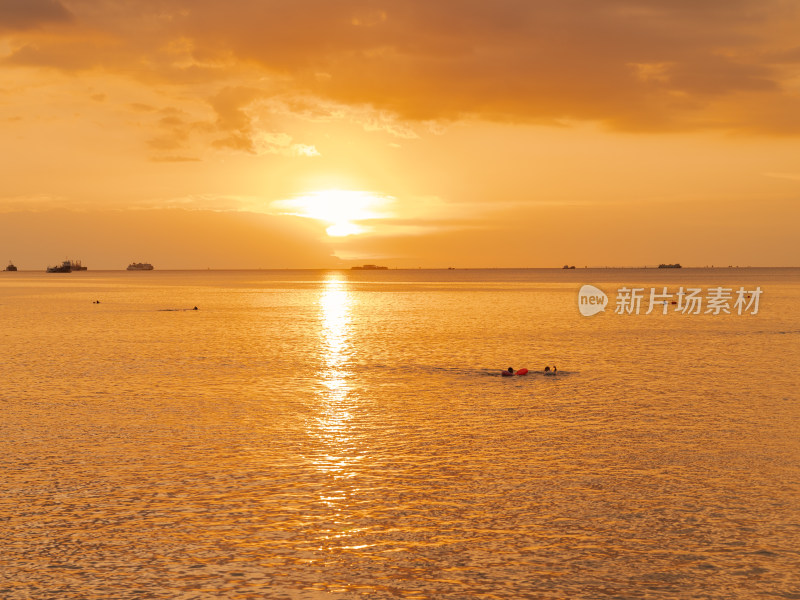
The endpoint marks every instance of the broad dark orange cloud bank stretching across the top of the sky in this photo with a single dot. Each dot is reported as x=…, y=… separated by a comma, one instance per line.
x=661, y=65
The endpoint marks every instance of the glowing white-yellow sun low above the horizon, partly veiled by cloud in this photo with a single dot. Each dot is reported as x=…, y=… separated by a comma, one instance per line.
x=343, y=210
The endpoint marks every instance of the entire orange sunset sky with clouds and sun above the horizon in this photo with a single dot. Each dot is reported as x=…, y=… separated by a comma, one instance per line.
x=321, y=133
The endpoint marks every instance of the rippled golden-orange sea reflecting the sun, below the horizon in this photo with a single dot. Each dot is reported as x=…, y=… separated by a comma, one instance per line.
x=324, y=434
